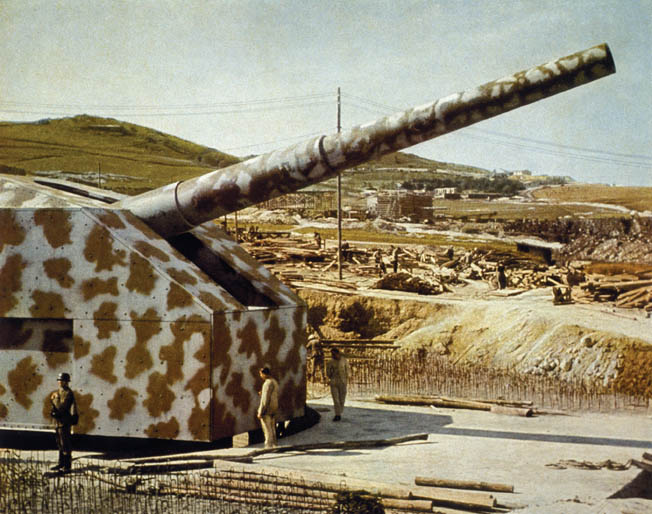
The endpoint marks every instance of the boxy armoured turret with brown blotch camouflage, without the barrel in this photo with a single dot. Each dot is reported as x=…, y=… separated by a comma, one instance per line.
x=156, y=347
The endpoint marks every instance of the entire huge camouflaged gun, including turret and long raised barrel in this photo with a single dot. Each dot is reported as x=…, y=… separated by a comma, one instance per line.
x=159, y=316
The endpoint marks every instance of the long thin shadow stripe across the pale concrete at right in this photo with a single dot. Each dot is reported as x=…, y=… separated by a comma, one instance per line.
x=550, y=438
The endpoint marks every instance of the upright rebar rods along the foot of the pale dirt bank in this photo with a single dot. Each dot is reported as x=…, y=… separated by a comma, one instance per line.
x=424, y=372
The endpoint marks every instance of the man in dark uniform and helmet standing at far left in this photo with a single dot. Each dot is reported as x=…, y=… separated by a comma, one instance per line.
x=64, y=412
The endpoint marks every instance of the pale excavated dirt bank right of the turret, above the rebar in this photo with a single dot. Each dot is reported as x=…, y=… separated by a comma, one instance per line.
x=531, y=337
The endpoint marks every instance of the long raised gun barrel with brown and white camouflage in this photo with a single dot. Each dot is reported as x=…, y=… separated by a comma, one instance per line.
x=179, y=207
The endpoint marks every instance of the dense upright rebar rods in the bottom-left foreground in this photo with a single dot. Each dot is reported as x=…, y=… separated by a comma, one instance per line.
x=27, y=485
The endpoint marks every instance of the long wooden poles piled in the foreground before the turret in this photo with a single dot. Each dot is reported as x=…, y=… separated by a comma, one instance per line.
x=261, y=486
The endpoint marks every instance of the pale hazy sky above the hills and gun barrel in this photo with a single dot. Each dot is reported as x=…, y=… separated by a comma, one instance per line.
x=250, y=76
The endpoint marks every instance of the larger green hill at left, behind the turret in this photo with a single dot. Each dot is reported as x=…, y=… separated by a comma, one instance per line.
x=127, y=158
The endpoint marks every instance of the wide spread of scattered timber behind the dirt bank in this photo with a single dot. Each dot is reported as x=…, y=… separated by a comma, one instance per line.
x=433, y=271
